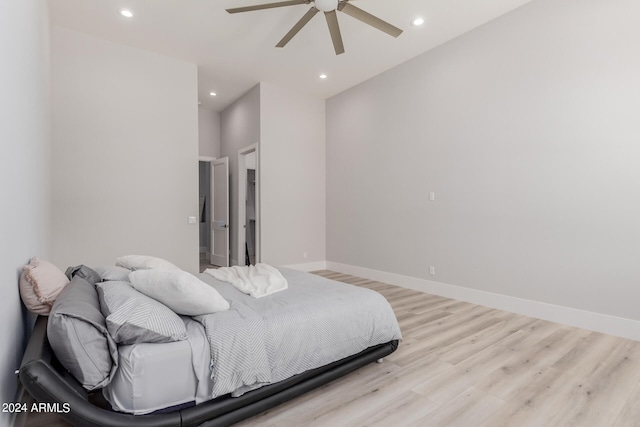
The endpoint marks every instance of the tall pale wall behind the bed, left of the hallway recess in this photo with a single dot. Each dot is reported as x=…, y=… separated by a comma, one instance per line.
x=125, y=132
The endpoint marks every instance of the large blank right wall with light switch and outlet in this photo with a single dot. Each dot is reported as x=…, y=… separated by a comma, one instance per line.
x=527, y=131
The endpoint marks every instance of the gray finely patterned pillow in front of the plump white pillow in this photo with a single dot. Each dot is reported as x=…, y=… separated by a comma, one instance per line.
x=135, y=318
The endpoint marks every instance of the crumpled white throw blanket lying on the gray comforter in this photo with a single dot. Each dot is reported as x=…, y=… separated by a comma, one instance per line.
x=257, y=280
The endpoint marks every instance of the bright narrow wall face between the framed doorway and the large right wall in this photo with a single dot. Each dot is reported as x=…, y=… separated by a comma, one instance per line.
x=292, y=177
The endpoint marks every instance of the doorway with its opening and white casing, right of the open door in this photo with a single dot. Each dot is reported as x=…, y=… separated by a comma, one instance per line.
x=248, y=248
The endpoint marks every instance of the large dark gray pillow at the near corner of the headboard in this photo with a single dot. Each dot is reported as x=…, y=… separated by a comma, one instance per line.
x=79, y=337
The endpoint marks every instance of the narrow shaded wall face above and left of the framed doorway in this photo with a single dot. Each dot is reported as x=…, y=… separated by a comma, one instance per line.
x=239, y=128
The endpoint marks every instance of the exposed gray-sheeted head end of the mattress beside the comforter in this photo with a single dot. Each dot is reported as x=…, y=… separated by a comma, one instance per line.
x=152, y=377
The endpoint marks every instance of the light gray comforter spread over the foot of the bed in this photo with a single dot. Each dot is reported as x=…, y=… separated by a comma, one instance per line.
x=313, y=323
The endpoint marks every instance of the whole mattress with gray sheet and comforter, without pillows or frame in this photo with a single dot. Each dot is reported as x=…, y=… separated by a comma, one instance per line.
x=314, y=323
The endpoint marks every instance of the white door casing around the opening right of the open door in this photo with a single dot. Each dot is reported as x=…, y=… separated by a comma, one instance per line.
x=242, y=200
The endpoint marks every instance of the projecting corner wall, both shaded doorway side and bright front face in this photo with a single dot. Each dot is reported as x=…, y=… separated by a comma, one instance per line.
x=290, y=129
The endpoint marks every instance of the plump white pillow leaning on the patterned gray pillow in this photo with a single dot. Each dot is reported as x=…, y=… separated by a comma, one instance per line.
x=180, y=291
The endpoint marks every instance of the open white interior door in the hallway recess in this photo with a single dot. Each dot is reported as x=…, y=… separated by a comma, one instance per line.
x=220, y=212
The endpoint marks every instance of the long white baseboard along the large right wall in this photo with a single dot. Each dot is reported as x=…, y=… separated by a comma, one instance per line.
x=604, y=323
